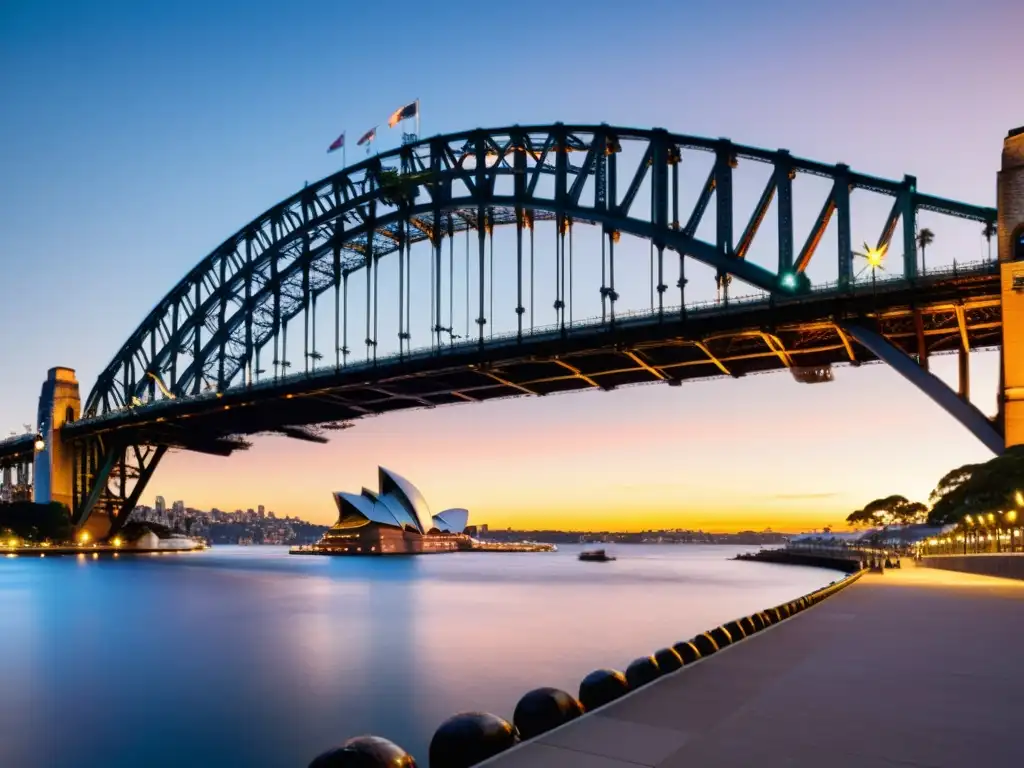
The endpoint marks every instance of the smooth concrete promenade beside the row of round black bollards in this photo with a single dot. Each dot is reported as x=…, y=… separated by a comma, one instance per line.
x=917, y=667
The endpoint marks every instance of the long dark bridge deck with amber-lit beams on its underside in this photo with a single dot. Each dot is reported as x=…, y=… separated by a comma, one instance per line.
x=724, y=342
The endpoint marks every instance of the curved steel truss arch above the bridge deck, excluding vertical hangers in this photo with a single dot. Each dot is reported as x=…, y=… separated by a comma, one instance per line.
x=240, y=298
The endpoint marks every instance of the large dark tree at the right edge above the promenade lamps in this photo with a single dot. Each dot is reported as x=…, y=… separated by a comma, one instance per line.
x=979, y=489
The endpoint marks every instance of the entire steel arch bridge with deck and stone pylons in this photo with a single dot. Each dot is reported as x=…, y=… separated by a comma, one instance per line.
x=381, y=288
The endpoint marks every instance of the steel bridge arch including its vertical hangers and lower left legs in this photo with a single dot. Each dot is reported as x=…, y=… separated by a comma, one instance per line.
x=217, y=328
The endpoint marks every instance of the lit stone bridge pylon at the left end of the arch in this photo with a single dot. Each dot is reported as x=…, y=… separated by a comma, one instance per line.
x=55, y=465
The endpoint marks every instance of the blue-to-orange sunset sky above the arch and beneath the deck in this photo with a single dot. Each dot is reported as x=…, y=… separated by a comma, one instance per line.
x=136, y=137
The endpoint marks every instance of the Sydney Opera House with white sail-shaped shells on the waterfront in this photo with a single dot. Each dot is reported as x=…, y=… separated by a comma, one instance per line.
x=396, y=520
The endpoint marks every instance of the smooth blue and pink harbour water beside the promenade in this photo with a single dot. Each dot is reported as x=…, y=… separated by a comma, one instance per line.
x=244, y=656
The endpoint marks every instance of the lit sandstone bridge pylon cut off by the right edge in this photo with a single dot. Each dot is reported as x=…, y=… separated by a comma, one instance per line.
x=1010, y=193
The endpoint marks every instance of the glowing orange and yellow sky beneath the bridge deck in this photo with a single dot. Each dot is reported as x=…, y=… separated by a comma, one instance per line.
x=639, y=459
